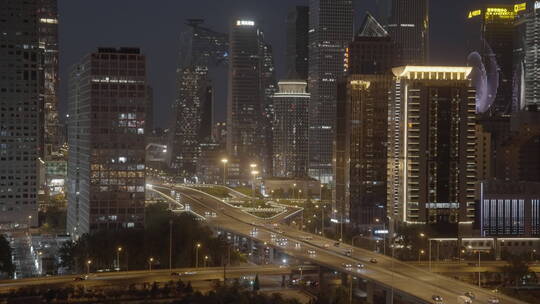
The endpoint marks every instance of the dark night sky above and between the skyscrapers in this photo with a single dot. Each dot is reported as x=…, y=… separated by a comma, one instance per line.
x=155, y=27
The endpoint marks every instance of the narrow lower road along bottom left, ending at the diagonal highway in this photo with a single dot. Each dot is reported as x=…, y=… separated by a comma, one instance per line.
x=109, y=278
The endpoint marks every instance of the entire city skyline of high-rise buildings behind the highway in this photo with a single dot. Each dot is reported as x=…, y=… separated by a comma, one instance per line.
x=395, y=137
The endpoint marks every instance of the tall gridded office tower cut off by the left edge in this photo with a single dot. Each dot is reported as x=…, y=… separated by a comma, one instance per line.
x=21, y=110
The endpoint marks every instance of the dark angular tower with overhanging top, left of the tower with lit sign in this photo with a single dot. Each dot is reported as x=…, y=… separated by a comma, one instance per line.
x=201, y=50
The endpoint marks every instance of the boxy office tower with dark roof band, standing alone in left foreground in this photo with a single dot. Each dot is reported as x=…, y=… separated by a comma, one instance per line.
x=106, y=165
